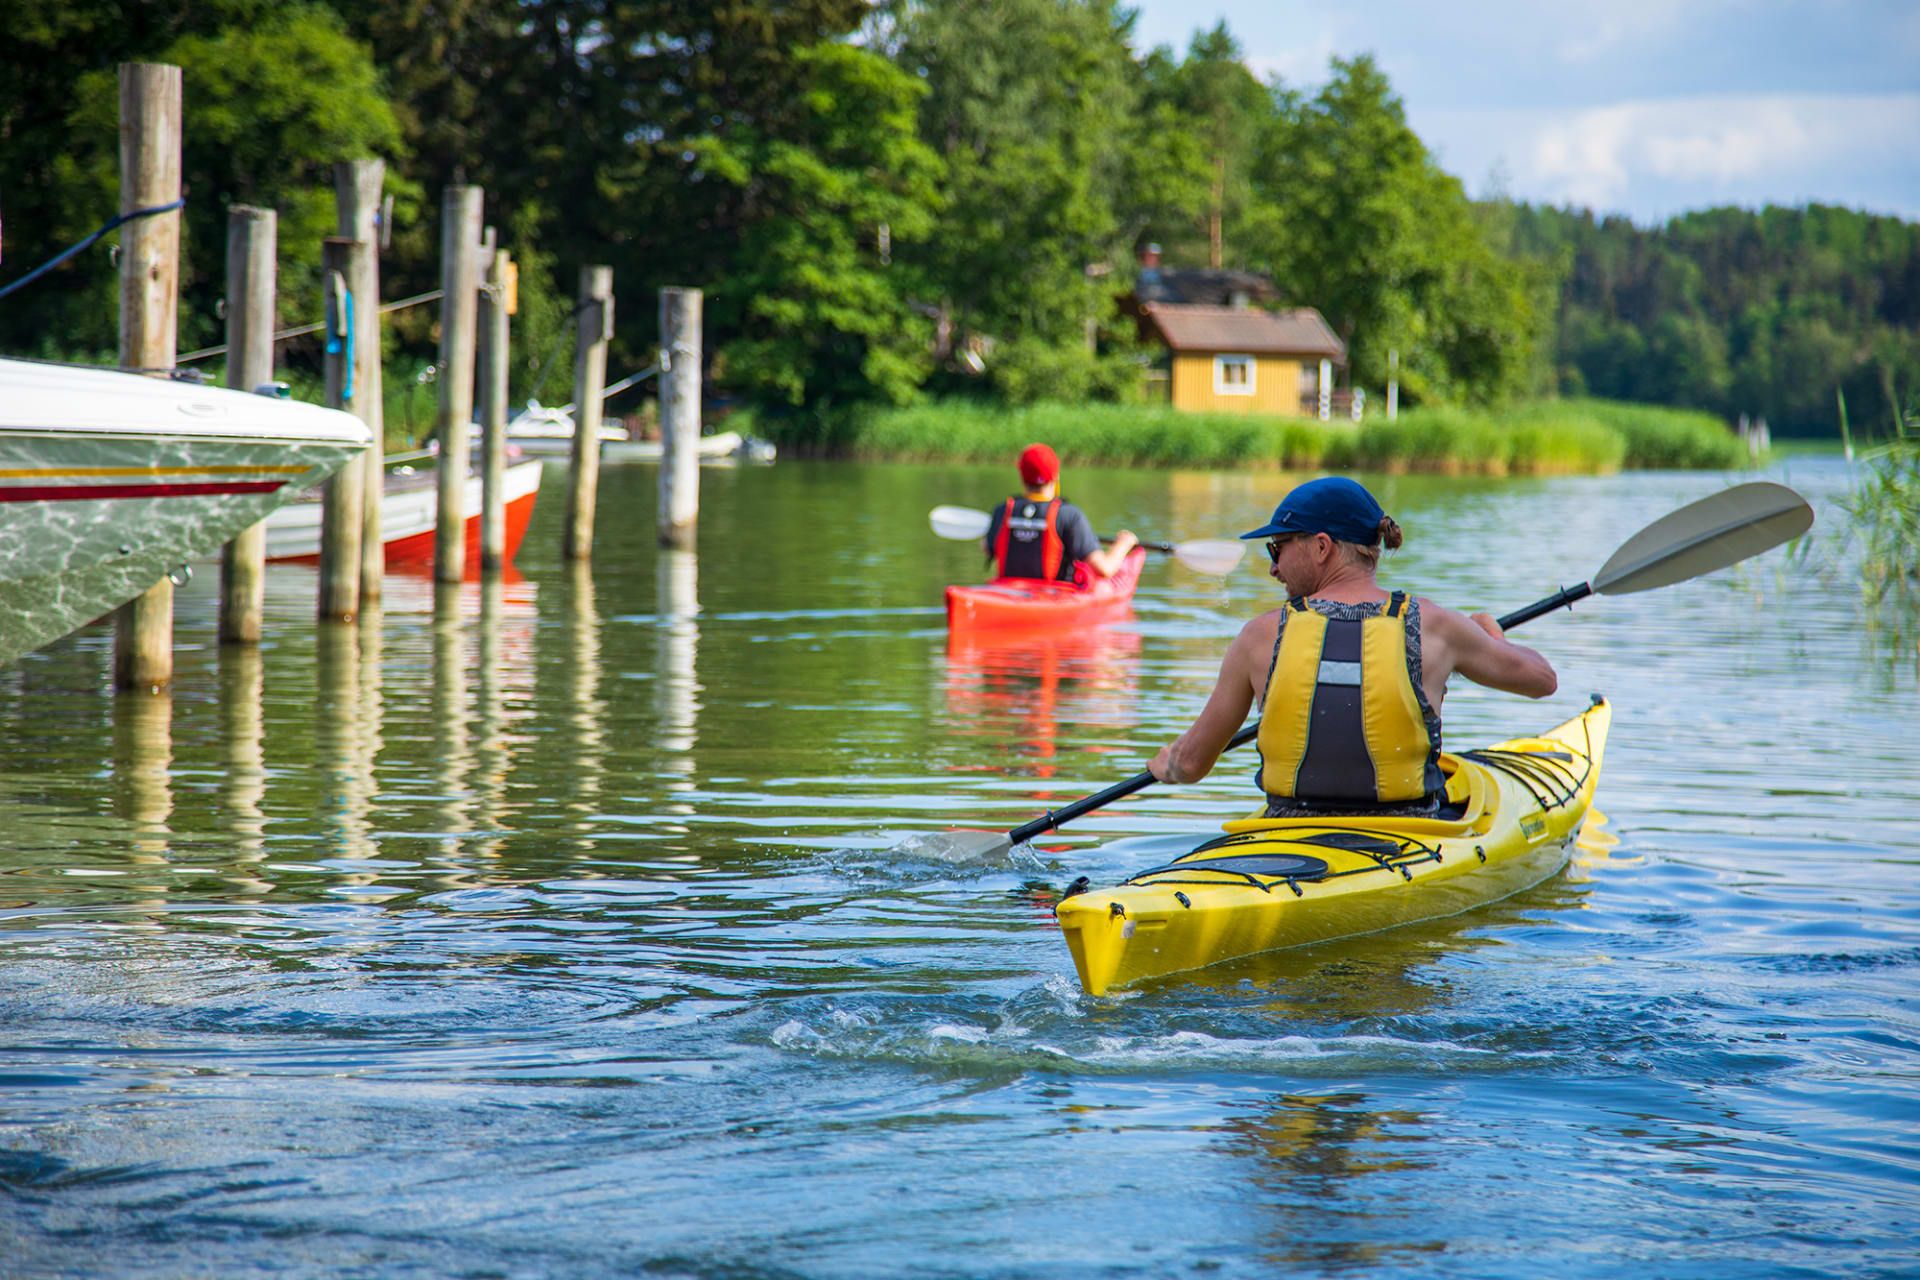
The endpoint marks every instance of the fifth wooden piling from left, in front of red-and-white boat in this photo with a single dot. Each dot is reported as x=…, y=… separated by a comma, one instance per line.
x=460, y=281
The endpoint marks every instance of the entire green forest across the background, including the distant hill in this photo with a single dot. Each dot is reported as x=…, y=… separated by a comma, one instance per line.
x=873, y=191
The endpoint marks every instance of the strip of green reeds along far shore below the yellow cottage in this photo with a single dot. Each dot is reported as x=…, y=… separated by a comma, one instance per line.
x=1543, y=439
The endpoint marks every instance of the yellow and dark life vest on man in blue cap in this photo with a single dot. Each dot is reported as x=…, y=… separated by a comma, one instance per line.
x=1343, y=721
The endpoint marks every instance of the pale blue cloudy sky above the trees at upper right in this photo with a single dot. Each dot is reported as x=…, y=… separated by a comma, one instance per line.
x=1646, y=108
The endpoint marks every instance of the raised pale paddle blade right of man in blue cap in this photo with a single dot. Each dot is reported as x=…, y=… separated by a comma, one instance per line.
x=1704, y=536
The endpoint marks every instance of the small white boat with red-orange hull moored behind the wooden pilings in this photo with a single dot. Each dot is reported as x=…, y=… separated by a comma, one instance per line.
x=410, y=511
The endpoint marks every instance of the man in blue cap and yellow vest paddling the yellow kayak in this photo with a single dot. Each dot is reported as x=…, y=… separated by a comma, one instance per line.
x=1347, y=675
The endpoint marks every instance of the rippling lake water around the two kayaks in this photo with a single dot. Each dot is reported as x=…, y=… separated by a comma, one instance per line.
x=558, y=930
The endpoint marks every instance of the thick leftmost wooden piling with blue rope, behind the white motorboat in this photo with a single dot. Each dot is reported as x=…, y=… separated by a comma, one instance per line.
x=151, y=272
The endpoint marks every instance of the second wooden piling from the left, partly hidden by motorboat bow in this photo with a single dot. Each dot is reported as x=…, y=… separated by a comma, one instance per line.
x=251, y=318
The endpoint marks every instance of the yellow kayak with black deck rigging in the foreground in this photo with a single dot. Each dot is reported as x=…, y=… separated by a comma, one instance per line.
x=1512, y=817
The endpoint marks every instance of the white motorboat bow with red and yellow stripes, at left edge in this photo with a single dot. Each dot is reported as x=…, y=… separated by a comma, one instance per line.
x=112, y=481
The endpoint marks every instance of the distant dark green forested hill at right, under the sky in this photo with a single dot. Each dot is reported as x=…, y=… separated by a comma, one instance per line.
x=1739, y=312
